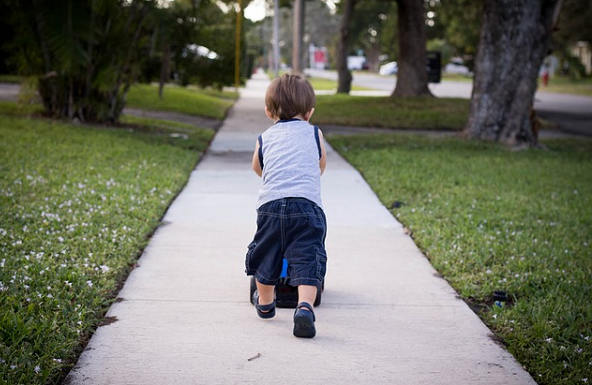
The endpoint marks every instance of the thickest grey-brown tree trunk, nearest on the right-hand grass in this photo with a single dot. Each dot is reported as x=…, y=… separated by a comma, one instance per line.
x=514, y=41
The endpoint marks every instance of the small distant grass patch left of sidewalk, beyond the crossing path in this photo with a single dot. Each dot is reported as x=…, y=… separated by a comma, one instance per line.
x=208, y=103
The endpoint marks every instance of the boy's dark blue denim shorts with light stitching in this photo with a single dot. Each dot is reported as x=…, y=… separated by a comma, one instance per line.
x=294, y=229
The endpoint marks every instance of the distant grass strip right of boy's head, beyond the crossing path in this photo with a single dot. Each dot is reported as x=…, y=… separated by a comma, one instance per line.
x=384, y=112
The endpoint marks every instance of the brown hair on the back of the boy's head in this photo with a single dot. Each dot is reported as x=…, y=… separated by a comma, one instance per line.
x=289, y=96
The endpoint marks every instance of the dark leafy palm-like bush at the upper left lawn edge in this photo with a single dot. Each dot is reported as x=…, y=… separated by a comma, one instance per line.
x=84, y=53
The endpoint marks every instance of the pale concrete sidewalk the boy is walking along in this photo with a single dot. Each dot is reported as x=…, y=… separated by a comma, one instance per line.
x=385, y=317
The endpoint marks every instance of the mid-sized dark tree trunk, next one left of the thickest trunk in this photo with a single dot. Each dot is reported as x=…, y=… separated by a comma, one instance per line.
x=412, y=78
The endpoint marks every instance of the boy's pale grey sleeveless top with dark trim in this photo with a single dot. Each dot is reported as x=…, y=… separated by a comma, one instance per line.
x=289, y=154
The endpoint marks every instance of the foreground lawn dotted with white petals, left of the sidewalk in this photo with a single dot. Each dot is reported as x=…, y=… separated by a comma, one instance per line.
x=77, y=206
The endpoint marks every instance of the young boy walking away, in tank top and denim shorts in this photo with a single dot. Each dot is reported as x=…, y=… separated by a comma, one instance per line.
x=290, y=156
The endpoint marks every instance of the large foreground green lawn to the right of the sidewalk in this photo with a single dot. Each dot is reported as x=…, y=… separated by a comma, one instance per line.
x=492, y=219
